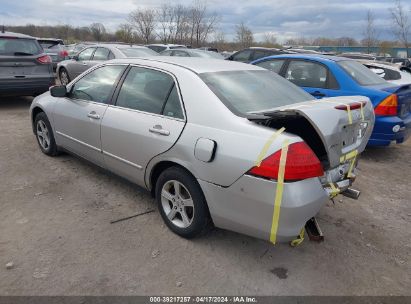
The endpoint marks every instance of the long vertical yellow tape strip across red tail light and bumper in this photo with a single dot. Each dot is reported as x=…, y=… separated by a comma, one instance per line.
x=279, y=192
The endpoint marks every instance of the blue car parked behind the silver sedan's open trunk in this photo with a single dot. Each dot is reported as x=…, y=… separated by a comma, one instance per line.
x=329, y=76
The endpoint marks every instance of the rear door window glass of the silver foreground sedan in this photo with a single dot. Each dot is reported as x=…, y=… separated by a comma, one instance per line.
x=148, y=90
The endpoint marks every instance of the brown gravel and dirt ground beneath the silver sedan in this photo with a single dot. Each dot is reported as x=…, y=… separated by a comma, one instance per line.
x=55, y=228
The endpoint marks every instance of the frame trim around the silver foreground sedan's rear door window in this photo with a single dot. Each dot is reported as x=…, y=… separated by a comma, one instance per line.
x=176, y=83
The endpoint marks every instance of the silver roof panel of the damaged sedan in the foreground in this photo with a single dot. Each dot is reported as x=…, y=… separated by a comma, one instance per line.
x=194, y=64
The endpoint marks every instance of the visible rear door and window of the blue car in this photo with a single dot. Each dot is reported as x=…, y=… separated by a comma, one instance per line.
x=314, y=77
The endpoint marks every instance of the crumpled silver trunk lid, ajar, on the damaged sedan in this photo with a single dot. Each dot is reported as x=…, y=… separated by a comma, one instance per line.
x=340, y=131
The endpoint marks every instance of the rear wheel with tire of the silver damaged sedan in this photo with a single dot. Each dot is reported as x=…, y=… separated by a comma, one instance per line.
x=196, y=220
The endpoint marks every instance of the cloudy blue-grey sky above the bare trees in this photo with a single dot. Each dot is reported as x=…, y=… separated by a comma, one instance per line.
x=286, y=18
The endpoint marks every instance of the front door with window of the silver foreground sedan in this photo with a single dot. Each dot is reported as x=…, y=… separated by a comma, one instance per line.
x=77, y=117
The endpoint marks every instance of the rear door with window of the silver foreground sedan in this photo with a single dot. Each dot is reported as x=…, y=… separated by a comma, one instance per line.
x=145, y=121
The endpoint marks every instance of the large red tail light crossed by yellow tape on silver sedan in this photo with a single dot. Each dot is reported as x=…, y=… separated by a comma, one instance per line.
x=301, y=163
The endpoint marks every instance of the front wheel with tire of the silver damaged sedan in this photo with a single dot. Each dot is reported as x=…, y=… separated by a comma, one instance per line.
x=44, y=135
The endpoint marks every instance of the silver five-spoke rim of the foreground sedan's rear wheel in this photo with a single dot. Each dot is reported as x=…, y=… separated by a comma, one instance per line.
x=177, y=204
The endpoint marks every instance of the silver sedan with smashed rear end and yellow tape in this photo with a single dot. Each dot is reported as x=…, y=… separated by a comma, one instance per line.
x=216, y=142
